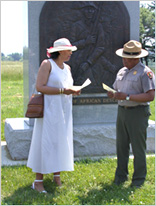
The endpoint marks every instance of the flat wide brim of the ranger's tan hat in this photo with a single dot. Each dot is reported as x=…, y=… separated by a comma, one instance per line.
x=120, y=53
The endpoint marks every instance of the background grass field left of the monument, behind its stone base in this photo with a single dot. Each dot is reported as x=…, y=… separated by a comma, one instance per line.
x=11, y=92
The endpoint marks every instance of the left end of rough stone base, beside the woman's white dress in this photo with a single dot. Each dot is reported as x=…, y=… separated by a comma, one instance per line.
x=18, y=136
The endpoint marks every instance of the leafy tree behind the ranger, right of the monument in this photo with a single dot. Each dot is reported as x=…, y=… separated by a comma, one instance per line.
x=147, y=29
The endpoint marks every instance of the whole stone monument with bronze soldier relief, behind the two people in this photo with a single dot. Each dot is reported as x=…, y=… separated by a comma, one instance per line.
x=98, y=29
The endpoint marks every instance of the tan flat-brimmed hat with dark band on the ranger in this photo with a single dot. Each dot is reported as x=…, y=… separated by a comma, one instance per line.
x=132, y=49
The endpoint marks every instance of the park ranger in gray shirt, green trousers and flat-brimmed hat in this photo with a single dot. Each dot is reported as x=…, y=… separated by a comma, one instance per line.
x=135, y=86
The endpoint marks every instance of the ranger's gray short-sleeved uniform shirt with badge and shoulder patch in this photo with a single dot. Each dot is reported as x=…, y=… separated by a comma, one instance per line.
x=137, y=80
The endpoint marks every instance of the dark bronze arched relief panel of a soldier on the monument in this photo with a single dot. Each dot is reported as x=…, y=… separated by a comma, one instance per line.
x=97, y=28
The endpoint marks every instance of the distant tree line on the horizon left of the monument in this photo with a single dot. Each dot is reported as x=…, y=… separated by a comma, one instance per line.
x=12, y=57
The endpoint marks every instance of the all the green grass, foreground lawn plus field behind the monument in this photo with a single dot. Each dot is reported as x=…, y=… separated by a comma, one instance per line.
x=90, y=184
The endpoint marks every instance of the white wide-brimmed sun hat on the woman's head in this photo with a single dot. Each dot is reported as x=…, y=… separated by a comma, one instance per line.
x=60, y=45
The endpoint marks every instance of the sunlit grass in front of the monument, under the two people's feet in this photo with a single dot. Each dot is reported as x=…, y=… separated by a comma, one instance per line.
x=91, y=183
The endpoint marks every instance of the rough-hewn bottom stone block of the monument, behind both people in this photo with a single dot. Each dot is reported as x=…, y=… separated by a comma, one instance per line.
x=90, y=140
